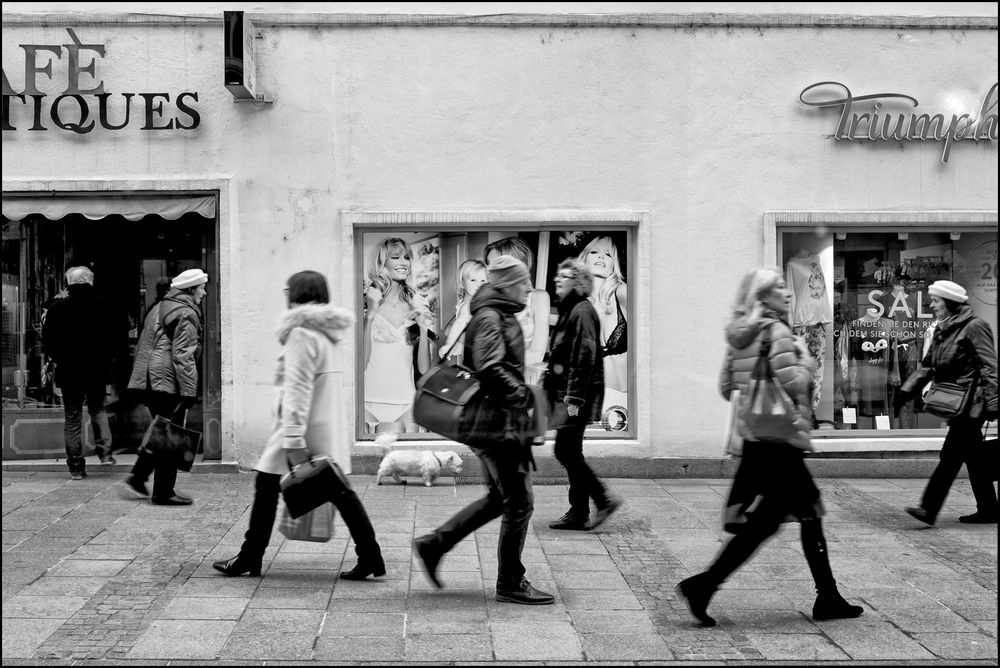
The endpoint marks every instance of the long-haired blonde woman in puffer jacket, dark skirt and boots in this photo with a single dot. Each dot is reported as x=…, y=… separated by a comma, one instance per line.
x=772, y=484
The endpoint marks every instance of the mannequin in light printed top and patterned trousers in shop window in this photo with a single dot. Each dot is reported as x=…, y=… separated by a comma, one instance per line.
x=811, y=310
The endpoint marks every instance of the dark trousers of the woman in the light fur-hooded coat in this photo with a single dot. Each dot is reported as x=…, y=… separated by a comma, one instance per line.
x=265, y=507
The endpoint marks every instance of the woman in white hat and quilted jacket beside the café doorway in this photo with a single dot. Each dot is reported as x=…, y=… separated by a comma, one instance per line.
x=166, y=372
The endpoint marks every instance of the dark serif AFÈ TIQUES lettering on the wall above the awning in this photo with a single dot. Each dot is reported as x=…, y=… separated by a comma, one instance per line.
x=74, y=107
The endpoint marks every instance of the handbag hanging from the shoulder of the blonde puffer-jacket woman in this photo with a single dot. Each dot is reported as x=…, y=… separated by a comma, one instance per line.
x=766, y=412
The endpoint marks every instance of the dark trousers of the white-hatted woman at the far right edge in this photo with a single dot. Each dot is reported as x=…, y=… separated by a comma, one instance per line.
x=962, y=445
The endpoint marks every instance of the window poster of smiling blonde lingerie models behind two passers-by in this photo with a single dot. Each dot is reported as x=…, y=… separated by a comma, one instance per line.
x=416, y=291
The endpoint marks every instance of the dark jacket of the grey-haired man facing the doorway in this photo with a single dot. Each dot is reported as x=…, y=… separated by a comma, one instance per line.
x=83, y=334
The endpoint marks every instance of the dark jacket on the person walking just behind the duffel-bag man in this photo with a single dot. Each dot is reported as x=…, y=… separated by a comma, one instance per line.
x=576, y=372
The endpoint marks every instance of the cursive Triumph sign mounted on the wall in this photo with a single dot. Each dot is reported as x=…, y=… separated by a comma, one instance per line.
x=879, y=125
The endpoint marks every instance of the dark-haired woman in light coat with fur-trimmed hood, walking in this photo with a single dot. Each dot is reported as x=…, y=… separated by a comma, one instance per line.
x=309, y=423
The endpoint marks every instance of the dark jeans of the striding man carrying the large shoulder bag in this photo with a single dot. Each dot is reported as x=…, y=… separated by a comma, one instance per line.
x=508, y=494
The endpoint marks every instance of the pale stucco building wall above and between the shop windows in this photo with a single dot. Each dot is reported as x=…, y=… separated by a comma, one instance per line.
x=701, y=128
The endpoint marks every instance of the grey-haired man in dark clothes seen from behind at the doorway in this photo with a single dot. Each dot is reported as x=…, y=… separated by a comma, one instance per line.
x=83, y=334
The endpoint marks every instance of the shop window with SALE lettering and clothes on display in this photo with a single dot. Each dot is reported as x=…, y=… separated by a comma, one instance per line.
x=860, y=302
